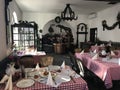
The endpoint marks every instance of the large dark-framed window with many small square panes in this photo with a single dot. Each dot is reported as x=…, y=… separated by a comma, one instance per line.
x=24, y=35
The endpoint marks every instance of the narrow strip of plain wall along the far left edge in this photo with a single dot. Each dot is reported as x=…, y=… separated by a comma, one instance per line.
x=2, y=31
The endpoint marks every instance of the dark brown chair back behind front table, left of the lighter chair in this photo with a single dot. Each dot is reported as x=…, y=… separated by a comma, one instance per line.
x=27, y=61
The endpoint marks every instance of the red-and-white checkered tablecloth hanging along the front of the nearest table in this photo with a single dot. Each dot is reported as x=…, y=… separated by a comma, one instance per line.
x=79, y=84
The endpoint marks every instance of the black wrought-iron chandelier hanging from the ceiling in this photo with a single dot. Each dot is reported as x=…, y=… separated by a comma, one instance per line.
x=68, y=14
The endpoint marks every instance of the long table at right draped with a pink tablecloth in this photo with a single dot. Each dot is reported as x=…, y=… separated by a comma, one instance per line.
x=106, y=68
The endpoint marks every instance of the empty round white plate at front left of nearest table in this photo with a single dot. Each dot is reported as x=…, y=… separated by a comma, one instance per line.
x=24, y=83
